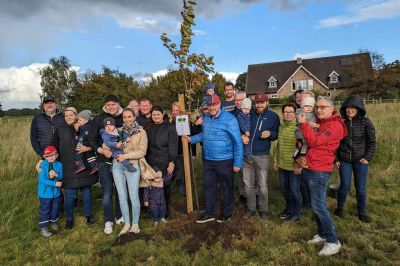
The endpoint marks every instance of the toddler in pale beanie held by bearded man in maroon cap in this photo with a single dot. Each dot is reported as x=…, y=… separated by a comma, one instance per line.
x=243, y=118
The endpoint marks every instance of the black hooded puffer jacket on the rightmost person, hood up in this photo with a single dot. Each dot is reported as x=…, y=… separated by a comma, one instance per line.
x=360, y=142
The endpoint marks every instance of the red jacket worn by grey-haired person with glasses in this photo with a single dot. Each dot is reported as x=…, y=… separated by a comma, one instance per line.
x=323, y=143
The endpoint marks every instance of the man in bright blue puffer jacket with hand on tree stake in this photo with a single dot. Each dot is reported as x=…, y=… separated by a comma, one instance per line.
x=223, y=155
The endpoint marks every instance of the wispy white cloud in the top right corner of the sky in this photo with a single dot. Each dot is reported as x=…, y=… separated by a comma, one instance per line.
x=363, y=12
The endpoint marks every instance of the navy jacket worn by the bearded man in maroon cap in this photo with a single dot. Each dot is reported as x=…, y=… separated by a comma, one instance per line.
x=268, y=120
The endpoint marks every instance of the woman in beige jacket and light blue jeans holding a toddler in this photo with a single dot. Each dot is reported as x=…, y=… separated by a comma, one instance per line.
x=127, y=182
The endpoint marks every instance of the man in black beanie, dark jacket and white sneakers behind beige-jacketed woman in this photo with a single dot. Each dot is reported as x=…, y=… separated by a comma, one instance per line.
x=111, y=109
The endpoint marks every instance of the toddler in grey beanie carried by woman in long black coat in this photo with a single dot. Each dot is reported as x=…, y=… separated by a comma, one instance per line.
x=84, y=118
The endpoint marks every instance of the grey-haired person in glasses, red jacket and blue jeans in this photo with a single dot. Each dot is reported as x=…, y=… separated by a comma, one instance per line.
x=320, y=157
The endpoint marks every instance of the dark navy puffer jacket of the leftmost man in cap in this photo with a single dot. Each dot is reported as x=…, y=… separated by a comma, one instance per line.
x=42, y=130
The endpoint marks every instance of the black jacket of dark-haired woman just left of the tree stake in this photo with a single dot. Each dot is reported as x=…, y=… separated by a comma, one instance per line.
x=163, y=144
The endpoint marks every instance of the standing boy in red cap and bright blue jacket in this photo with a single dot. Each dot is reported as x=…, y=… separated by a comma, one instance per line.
x=49, y=191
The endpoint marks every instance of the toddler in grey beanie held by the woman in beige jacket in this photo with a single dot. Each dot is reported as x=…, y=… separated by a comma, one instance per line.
x=115, y=141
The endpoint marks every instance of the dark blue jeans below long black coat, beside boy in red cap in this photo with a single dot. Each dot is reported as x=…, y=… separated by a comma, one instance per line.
x=70, y=195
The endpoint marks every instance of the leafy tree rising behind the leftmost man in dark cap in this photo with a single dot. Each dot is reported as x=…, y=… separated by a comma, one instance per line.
x=59, y=80
